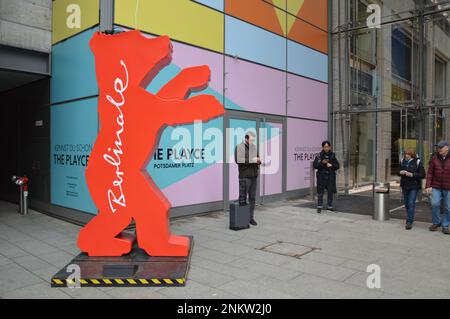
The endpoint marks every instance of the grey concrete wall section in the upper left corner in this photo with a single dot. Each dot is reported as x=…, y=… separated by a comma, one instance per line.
x=26, y=24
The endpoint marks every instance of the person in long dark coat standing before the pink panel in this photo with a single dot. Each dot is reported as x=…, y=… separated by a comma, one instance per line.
x=326, y=165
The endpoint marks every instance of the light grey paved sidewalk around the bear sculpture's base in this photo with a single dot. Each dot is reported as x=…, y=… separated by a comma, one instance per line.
x=333, y=251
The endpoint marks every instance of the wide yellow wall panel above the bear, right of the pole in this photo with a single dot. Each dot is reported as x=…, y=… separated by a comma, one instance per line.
x=182, y=20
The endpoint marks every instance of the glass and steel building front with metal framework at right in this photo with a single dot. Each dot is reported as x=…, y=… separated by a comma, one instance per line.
x=390, y=84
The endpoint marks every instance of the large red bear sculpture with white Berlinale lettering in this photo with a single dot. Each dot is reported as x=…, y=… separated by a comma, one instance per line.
x=131, y=121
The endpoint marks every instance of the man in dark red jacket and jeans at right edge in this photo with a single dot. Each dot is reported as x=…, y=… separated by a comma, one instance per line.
x=438, y=184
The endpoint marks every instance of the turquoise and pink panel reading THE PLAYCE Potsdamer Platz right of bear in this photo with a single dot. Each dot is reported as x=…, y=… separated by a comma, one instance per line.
x=190, y=181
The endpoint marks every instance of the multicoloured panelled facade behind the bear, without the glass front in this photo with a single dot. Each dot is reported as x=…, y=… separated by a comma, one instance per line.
x=269, y=68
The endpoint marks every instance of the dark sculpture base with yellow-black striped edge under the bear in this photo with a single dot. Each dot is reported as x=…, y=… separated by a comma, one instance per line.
x=136, y=269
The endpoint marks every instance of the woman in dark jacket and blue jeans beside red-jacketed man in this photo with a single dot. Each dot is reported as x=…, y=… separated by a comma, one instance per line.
x=412, y=172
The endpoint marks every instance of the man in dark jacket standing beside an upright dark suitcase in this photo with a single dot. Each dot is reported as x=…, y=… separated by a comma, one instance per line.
x=247, y=158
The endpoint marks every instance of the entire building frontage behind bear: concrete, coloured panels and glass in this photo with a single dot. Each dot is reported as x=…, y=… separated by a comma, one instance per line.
x=371, y=76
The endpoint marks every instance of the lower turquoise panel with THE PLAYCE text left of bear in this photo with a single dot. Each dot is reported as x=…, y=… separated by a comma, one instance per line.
x=74, y=128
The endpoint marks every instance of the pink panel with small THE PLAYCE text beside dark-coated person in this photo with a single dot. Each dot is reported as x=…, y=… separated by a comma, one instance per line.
x=304, y=140
